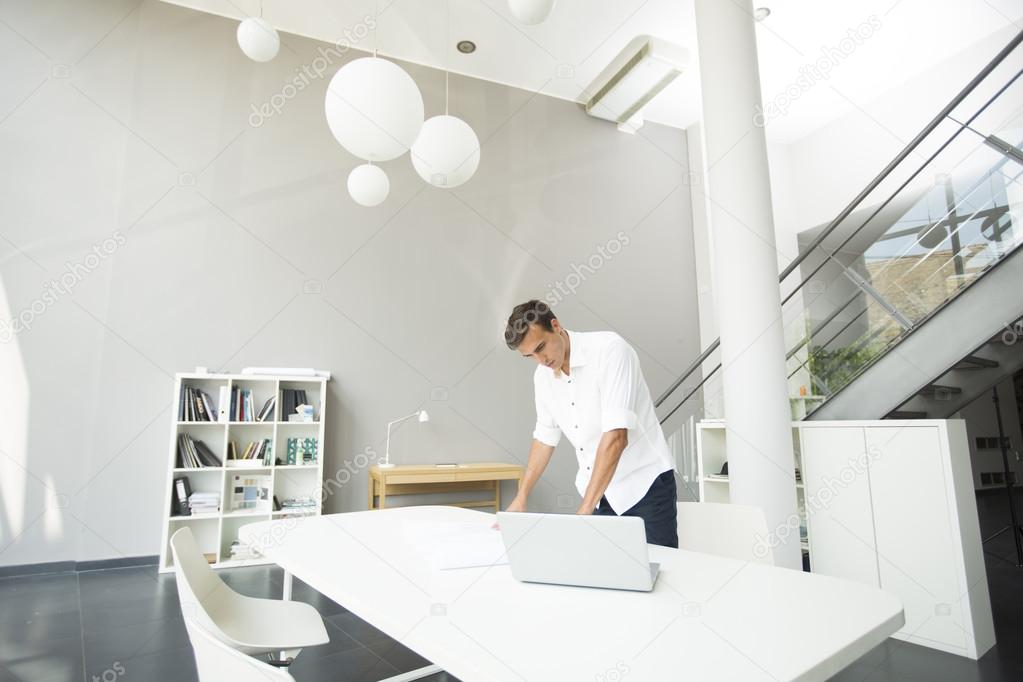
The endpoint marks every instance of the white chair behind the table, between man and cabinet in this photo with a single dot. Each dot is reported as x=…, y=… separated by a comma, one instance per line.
x=736, y=531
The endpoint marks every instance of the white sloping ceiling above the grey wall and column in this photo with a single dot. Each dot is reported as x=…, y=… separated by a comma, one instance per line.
x=561, y=57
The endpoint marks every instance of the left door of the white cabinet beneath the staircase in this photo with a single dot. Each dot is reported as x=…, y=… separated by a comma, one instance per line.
x=838, y=505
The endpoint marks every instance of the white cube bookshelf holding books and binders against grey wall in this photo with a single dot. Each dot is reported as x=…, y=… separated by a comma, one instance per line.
x=215, y=532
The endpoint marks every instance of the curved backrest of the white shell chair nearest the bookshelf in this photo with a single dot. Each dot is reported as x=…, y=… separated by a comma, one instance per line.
x=201, y=592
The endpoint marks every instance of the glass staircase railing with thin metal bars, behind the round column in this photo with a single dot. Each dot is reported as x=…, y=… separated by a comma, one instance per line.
x=946, y=211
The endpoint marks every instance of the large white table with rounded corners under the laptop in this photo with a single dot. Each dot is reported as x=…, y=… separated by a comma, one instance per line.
x=708, y=618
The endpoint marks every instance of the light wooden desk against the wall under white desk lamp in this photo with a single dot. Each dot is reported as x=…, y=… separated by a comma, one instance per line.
x=429, y=479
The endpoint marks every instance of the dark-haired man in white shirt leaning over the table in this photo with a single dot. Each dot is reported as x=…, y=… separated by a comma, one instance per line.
x=590, y=387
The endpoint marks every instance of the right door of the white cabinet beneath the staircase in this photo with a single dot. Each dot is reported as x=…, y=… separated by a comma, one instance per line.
x=912, y=516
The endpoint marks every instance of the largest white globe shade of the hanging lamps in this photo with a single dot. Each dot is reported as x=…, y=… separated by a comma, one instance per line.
x=374, y=109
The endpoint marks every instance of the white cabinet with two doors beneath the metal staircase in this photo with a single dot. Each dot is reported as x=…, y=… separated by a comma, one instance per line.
x=891, y=505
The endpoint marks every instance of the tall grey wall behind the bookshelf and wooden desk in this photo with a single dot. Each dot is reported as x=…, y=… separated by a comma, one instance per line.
x=229, y=245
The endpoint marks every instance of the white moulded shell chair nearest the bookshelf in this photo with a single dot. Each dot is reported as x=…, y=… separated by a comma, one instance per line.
x=249, y=625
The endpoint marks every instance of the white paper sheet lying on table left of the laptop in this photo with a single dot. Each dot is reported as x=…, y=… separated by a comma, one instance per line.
x=459, y=545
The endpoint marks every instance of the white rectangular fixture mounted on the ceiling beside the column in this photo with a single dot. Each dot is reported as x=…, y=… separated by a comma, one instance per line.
x=644, y=69
